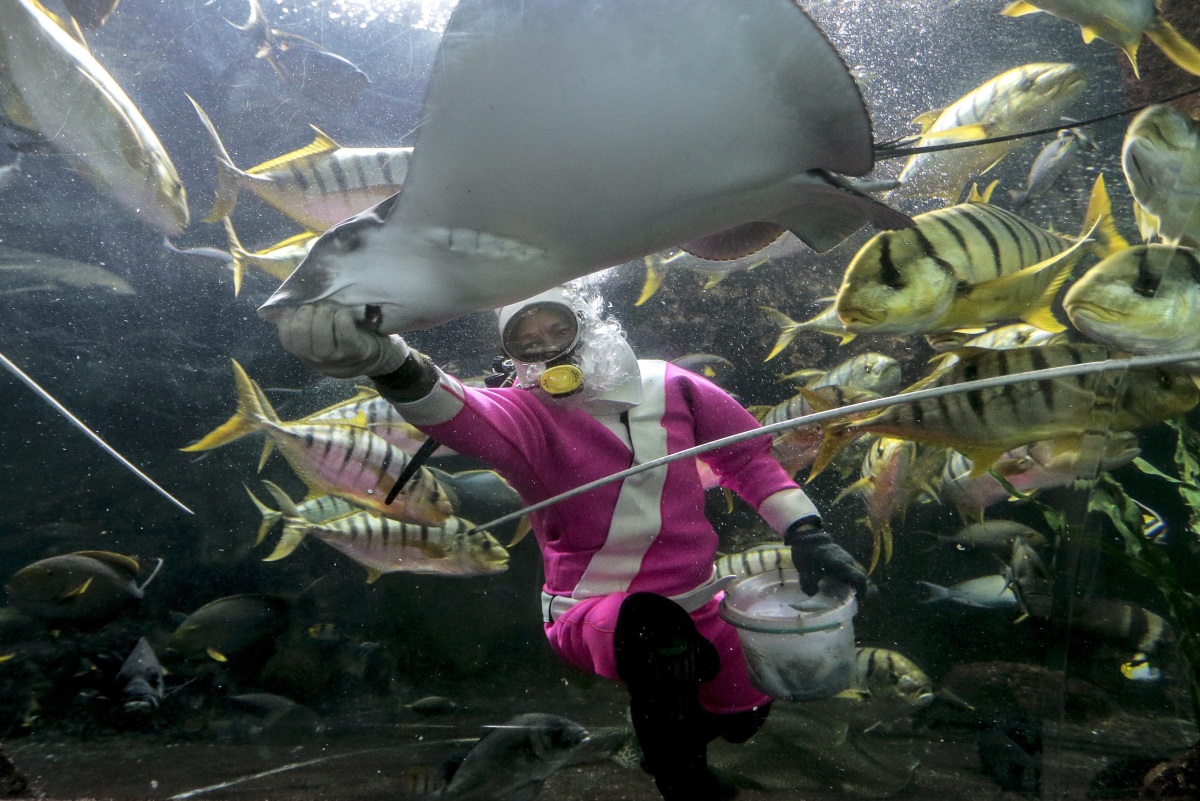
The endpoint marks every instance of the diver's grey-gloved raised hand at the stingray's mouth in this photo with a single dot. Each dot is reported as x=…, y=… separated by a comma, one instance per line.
x=328, y=339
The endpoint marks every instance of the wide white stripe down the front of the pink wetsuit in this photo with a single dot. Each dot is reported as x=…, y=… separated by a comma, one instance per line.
x=638, y=516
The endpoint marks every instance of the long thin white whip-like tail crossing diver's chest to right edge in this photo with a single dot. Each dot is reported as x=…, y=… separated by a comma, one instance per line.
x=1082, y=369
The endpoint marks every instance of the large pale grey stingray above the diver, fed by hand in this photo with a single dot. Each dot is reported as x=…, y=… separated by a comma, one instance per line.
x=560, y=138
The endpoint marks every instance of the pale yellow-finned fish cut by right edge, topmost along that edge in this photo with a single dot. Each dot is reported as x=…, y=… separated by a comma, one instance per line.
x=1161, y=159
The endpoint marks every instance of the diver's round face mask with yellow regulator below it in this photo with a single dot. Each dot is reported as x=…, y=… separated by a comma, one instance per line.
x=548, y=333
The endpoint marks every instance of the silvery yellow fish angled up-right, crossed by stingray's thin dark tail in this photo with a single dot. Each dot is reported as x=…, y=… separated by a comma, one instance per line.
x=1024, y=99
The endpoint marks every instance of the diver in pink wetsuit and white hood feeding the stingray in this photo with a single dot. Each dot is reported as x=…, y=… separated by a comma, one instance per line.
x=631, y=589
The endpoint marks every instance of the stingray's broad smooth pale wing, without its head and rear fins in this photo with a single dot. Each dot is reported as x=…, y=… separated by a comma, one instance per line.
x=605, y=130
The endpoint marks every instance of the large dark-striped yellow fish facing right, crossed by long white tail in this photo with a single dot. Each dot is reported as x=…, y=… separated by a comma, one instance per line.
x=985, y=424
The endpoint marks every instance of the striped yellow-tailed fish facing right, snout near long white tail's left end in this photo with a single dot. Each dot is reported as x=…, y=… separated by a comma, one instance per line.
x=386, y=546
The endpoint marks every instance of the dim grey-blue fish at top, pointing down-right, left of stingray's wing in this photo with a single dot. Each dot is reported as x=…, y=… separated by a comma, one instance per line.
x=307, y=68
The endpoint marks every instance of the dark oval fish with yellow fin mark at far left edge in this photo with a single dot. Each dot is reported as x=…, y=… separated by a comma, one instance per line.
x=83, y=591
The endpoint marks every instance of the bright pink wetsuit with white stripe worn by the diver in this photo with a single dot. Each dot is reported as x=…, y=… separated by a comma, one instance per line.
x=646, y=534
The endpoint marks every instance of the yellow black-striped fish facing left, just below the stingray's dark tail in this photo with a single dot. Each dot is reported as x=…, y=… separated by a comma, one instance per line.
x=964, y=267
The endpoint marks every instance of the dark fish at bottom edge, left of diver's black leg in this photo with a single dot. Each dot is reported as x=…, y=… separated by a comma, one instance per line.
x=513, y=761
